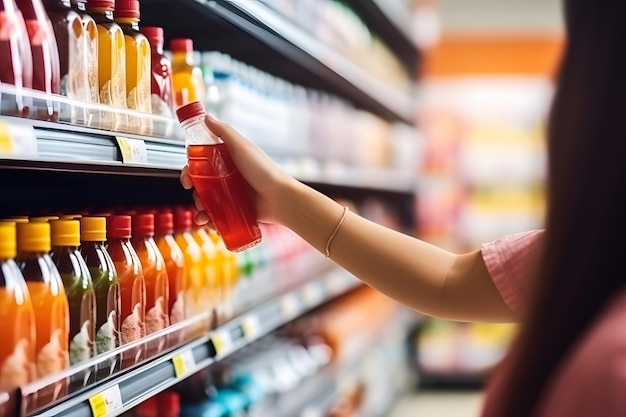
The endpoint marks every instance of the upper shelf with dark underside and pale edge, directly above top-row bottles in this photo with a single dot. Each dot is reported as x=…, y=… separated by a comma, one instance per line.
x=256, y=34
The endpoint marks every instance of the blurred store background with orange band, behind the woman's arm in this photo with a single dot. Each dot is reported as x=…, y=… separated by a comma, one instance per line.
x=484, y=90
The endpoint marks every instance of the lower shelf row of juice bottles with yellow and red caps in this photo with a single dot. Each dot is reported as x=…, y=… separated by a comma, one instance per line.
x=114, y=288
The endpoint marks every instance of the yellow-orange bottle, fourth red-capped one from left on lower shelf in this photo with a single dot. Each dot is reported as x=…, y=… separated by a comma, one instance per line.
x=194, y=267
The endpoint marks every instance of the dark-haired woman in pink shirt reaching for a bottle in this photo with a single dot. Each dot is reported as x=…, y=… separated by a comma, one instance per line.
x=564, y=285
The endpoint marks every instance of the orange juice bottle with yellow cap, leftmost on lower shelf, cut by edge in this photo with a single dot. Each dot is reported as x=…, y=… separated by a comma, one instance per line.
x=17, y=317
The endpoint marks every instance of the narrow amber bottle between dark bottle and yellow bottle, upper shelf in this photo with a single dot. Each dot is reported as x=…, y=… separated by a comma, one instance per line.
x=90, y=30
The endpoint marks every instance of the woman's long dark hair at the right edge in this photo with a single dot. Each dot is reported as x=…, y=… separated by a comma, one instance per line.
x=586, y=220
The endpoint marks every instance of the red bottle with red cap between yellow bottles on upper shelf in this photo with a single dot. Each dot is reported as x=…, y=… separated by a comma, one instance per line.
x=161, y=77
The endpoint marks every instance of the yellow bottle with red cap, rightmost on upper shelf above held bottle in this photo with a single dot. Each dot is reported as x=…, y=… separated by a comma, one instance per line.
x=186, y=74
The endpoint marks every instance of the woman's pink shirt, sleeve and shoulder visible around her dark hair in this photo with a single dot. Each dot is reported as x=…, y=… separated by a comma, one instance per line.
x=592, y=379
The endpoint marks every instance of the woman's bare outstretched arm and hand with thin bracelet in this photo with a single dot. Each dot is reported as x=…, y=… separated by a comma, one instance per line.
x=424, y=277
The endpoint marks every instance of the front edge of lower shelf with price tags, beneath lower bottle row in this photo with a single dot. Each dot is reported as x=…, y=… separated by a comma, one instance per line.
x=128, y=389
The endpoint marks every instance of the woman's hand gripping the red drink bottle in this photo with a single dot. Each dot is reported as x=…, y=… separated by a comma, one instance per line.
x=267, y=181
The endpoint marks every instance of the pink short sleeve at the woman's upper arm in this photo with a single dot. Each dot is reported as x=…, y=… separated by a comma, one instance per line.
x=510, y=260
